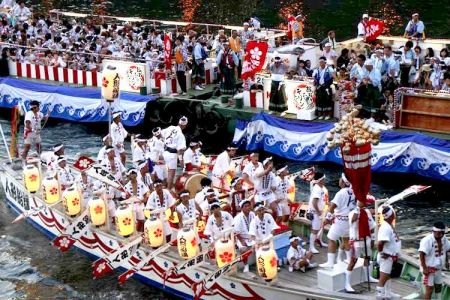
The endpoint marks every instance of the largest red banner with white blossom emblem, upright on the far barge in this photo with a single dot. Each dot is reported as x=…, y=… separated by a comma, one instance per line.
x=254, y=58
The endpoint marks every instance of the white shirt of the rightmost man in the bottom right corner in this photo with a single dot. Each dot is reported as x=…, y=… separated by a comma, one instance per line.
x=429, y=246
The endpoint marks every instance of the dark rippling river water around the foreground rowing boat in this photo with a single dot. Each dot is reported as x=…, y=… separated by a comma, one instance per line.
x=31, y=268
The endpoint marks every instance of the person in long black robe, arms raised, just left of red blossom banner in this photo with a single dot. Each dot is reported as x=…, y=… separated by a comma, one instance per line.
x=227, y=60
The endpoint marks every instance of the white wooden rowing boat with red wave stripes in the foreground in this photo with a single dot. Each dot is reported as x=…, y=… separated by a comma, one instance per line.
x=100, y=242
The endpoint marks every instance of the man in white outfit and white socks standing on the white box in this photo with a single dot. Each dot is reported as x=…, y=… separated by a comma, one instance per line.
x=344, y=201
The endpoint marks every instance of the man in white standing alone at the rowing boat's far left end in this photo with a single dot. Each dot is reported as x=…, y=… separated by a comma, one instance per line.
x=32, y=130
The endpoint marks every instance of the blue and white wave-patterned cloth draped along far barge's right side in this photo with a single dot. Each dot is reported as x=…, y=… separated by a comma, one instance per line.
x=306, y=141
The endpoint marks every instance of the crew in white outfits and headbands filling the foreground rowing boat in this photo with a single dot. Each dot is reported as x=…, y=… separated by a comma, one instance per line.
x=255, y=205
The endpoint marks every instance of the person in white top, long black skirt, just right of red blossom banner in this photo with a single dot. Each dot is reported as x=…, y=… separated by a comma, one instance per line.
x=277, y=97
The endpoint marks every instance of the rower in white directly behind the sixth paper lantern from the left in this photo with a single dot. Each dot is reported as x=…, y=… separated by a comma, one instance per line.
x=161, y=198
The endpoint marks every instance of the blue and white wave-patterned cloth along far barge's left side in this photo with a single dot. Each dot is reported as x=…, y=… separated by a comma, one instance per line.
x=71, y=103
